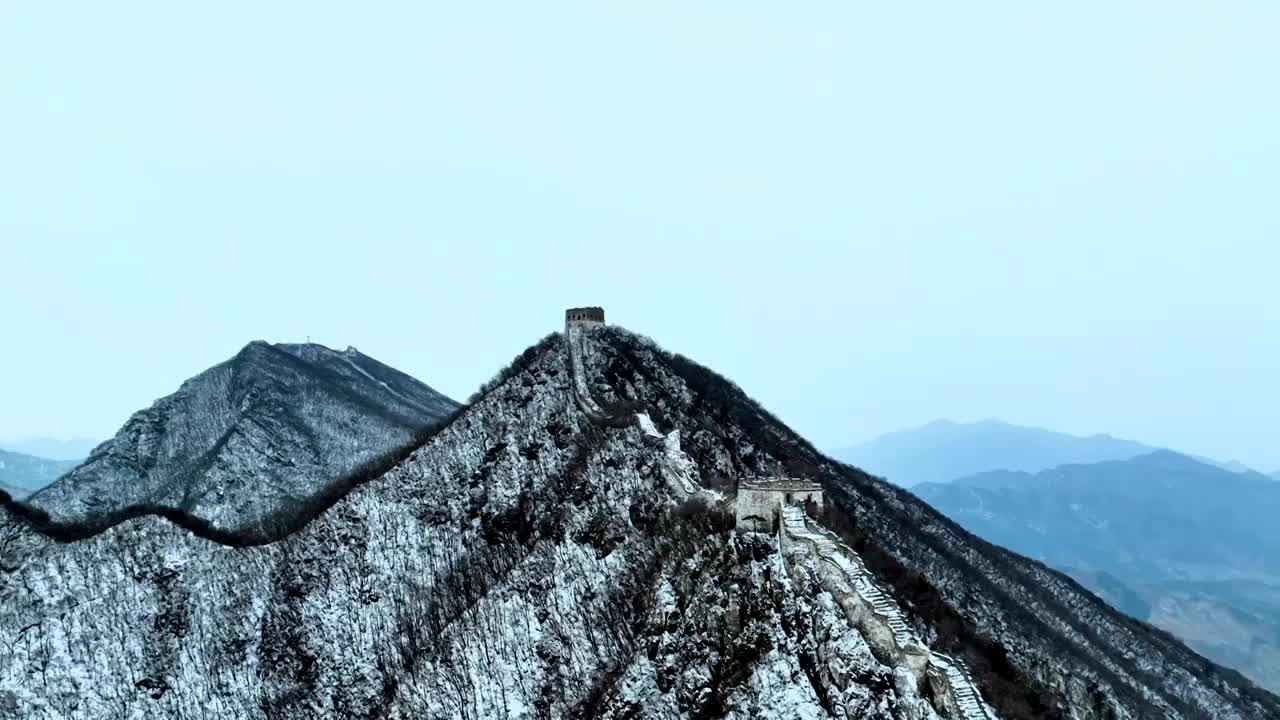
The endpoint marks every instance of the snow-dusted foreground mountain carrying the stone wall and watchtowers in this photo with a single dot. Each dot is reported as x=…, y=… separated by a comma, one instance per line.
x=565, y=548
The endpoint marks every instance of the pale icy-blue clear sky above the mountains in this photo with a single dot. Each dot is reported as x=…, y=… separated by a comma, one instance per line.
x=868, y=217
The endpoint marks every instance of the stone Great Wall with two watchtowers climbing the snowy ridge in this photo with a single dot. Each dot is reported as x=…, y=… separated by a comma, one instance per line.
x=804, y=545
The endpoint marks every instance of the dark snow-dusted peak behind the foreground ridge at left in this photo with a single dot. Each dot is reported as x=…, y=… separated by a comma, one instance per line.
x=252, y=439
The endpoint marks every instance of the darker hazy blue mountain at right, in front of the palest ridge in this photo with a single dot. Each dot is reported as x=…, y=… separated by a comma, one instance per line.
x=1181, y=544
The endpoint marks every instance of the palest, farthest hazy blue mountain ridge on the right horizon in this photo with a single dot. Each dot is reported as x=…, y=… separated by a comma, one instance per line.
x=944, y=450
